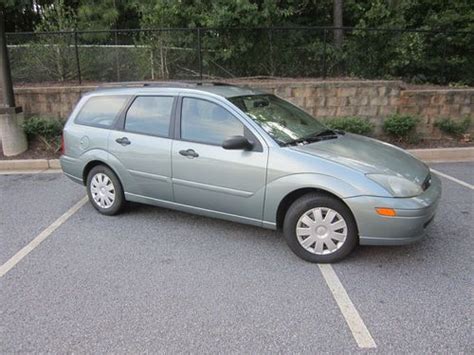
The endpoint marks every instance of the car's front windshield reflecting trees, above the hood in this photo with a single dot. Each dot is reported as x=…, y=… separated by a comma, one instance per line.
x=284, y=122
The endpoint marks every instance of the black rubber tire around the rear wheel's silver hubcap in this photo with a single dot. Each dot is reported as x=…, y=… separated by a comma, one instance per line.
x=119, y=199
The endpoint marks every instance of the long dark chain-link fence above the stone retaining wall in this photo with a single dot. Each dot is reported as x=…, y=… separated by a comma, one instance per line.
x=417, y=56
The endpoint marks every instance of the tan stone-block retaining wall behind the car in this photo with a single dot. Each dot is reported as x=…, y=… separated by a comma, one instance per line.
x=374, y=100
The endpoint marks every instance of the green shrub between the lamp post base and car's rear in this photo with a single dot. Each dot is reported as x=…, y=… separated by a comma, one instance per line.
x=47, y=130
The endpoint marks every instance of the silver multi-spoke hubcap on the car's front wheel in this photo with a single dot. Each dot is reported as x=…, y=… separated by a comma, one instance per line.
x=321, y=231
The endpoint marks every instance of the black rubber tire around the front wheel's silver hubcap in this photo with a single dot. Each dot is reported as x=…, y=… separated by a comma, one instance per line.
x=303, y=205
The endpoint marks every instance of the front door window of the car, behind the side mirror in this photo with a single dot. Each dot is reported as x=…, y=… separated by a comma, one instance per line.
x=206, y=122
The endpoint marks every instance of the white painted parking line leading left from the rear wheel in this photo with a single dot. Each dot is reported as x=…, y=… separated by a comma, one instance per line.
x=15, y=259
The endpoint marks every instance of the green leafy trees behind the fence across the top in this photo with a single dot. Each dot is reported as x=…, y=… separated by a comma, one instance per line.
x=233, y=47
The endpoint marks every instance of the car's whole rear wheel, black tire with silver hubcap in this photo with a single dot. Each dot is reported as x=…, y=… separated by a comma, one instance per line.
x=104, y=190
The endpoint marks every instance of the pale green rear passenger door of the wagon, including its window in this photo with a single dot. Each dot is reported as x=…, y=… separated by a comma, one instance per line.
x=142, y=145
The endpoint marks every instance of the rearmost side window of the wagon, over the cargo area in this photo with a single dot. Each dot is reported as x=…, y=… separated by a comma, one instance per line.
x=101, y=111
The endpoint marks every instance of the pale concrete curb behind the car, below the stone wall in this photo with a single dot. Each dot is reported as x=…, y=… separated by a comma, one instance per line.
x=436, y=155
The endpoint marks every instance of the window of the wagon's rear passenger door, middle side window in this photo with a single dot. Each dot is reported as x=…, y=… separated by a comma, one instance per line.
x=150, y=115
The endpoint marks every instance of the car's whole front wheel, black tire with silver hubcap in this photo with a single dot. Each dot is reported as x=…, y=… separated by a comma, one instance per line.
x=320, y=228
